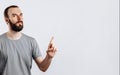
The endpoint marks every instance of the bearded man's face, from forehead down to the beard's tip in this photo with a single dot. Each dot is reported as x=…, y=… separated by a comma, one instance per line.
x=15, y=19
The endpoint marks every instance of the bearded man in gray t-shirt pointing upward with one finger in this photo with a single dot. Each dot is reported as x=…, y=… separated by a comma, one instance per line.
x=18, y=49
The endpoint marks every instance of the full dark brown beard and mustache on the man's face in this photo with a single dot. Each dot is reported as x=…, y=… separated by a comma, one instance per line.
x=15, y=27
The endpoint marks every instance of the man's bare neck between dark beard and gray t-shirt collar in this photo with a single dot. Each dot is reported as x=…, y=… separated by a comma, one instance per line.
x=13, y=35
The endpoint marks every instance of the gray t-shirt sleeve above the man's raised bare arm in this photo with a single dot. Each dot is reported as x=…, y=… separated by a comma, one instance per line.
x=35, y=49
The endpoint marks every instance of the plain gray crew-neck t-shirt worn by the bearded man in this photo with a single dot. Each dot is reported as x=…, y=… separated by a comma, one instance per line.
x=16, y=55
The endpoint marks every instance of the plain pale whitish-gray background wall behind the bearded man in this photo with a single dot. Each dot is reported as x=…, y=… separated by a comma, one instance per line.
x=86, y=34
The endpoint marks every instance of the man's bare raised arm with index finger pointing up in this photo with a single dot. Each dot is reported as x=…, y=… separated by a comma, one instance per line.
x=43, y=64
